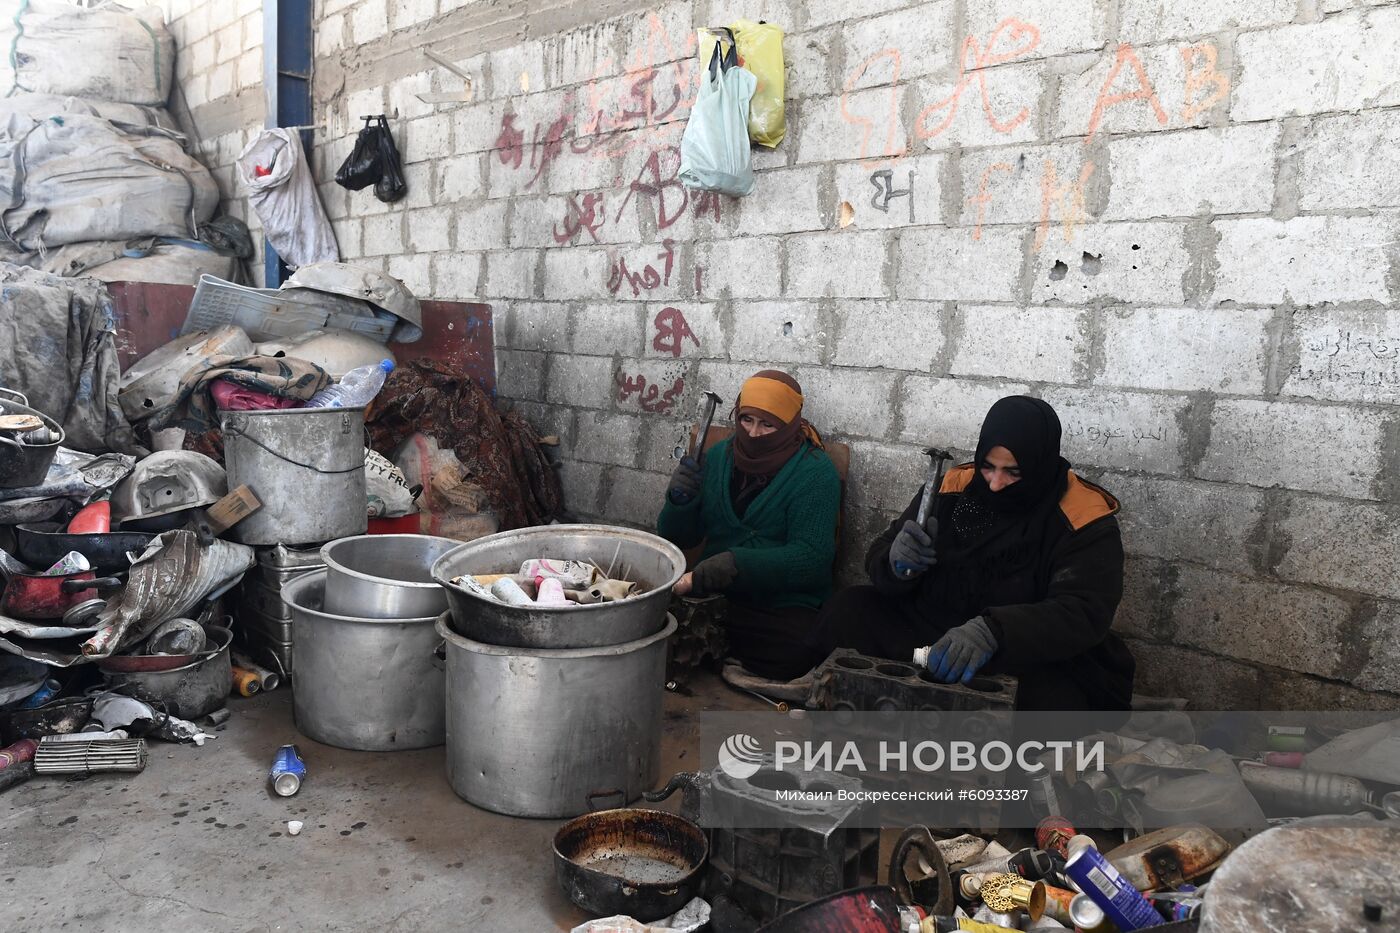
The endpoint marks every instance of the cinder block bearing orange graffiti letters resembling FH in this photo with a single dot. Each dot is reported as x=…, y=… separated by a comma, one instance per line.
x=1009, y=186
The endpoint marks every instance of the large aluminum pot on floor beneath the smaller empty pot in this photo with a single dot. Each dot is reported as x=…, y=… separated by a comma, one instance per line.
x=363, y=684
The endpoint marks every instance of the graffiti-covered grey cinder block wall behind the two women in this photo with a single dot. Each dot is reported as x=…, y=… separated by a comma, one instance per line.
x=1172, y=219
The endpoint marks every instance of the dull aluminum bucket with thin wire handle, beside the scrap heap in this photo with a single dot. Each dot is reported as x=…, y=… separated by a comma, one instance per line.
x=307, y=469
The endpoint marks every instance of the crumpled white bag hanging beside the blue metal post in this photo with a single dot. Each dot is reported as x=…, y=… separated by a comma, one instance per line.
x=282, y=191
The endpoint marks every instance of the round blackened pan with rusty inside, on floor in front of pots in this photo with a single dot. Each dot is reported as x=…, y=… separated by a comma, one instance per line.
x=645, y=864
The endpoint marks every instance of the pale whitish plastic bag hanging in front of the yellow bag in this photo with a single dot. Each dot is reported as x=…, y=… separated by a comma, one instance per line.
x=715, y=149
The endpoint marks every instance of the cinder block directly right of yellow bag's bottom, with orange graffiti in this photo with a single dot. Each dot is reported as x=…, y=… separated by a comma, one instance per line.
x=860, y=125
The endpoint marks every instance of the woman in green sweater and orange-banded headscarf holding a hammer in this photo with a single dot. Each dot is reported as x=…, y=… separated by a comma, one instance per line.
x=766, y=508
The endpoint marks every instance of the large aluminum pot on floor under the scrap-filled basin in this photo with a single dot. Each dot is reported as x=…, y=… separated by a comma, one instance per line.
x=541, y=733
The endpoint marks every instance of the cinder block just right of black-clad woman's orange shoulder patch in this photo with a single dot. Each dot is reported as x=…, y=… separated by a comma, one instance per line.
x=1213, y=525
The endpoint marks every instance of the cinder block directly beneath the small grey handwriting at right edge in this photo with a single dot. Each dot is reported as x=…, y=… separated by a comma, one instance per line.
x=1324, y=449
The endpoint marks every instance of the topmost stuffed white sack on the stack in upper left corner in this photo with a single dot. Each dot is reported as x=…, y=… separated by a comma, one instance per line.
x=111, y=55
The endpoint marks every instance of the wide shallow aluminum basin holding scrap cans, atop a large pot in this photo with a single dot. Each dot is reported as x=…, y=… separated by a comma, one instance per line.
x=643, y=558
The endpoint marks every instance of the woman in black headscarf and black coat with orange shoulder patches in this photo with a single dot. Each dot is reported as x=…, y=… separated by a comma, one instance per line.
x=1018, y=571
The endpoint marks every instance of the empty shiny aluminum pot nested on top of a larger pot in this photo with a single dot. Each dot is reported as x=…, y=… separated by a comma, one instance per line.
x=384, y=576
